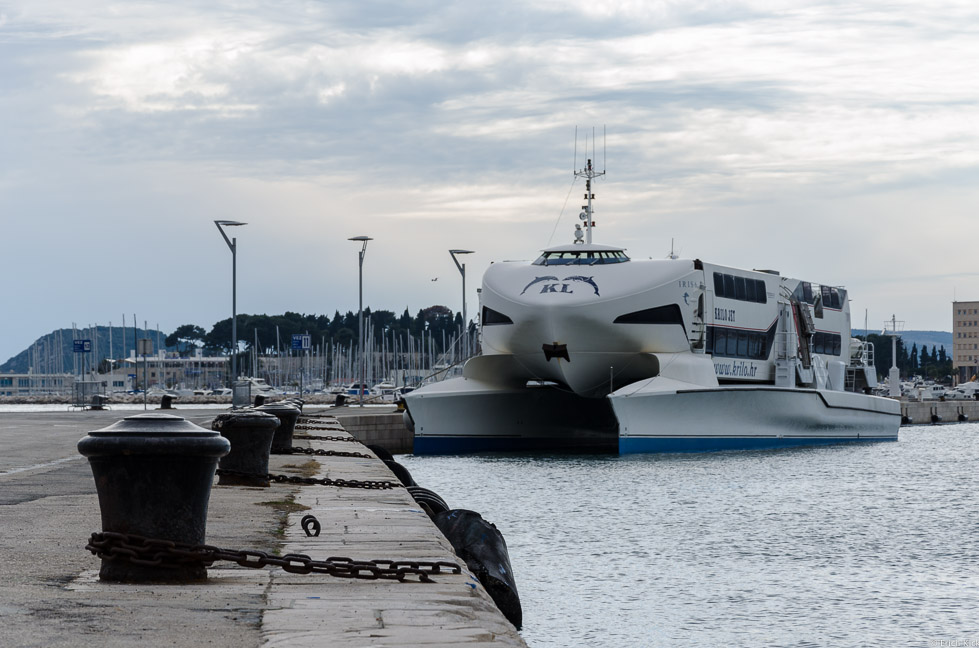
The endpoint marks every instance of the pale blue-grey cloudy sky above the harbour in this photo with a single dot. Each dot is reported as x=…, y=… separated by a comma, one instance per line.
x=834, y=141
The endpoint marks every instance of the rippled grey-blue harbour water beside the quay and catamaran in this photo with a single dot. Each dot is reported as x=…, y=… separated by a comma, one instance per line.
x=860, y=544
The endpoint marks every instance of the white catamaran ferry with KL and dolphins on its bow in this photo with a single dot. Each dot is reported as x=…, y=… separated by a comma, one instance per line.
x=586, y=349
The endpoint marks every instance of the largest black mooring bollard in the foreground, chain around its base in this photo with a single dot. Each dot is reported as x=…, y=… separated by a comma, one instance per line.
x=153, y=473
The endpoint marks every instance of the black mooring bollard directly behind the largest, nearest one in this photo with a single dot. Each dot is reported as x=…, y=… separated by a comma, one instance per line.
x=250, y=433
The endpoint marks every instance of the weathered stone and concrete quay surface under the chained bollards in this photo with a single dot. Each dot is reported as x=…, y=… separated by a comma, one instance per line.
x=50, y=593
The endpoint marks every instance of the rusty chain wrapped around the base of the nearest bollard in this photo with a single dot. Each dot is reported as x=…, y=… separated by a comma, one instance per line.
x=152, y=552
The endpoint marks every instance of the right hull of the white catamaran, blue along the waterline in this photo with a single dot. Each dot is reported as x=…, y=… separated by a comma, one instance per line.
x=740, y=418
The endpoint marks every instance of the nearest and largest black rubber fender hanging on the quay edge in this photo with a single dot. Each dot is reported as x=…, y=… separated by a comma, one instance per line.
x=481, y=545
